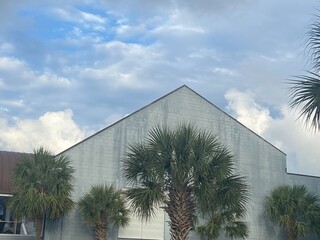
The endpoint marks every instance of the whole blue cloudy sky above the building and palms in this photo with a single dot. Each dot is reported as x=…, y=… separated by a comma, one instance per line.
x=70, y=68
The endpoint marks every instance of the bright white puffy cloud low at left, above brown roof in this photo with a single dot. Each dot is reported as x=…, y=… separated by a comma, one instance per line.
x=53, y=130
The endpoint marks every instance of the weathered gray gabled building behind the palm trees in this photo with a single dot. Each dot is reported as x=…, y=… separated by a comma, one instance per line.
x=97, y=160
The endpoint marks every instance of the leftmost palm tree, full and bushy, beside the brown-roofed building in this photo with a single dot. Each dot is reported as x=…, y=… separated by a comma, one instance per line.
x=44, y=186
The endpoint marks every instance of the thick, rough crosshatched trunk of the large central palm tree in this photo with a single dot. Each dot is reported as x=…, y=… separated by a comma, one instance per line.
x=180, y=209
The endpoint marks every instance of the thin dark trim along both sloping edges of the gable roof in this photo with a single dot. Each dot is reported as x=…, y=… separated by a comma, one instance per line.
x=185, y=87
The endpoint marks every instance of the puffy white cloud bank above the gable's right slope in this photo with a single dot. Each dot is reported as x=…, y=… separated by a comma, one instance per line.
x=285, y=132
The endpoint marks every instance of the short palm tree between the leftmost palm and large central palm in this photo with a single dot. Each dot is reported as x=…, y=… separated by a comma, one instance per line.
x=104, y=206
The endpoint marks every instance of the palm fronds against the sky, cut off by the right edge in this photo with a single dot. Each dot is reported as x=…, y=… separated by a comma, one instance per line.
x=305, y=89
